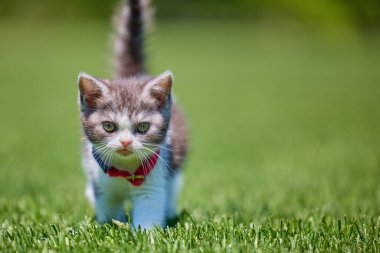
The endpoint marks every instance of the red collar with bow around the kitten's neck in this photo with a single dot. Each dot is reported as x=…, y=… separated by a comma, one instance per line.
x=138, y=177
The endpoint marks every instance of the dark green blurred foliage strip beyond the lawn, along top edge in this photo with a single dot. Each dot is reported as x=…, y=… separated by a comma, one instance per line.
x=363, y=14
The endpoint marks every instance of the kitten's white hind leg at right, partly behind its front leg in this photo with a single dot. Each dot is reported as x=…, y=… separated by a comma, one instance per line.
x=174, y=187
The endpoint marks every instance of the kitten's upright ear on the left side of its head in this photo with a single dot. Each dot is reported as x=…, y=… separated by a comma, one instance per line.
x=90, y=89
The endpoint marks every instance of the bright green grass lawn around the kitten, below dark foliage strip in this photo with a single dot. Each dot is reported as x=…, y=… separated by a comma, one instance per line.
x=285, y=140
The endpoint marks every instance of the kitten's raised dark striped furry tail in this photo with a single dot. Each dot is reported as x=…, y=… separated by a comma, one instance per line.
x=129, y=38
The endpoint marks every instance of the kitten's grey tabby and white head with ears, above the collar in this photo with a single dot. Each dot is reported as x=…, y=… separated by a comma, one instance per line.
x=125, y=119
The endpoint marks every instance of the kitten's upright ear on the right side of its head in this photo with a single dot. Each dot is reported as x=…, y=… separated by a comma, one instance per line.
x=160, y=87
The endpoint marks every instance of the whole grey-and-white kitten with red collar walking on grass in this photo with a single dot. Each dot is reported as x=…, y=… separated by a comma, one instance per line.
x=134, y=135
